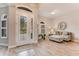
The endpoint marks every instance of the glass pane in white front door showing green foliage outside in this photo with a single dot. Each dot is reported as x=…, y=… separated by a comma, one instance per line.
x=23, y=25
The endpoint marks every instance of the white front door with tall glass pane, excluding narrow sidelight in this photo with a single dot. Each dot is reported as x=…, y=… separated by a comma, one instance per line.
x=23, y=28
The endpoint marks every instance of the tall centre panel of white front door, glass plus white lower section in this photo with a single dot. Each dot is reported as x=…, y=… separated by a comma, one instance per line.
x=23, y=27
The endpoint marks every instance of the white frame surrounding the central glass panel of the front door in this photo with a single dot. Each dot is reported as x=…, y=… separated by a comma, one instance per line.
x=29, y=40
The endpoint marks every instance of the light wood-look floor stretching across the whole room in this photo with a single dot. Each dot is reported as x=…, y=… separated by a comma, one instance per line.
x=44, y=48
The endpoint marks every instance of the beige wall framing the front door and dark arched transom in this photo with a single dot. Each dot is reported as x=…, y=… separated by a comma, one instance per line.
x=12, y=24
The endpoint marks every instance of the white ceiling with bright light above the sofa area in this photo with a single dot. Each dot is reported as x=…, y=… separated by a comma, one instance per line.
x=59, y=9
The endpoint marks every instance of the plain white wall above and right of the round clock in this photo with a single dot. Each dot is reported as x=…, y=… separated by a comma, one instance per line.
x=72, y=20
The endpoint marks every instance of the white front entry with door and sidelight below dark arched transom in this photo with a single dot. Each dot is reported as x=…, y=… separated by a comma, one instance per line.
x=24, y=27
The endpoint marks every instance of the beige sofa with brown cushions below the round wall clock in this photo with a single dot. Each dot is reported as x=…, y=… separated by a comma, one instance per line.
x=61, y=36
